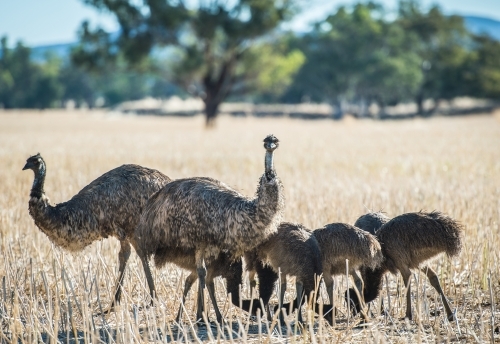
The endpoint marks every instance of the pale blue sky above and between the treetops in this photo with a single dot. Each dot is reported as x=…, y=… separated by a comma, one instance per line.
x=42, y=22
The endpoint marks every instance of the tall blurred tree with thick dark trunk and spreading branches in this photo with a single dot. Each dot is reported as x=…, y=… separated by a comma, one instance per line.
x=213, y=39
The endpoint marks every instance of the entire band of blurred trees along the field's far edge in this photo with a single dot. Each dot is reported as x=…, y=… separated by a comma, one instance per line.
x=238, y=51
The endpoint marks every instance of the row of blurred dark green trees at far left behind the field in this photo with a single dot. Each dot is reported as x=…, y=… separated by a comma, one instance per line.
x=26, y=84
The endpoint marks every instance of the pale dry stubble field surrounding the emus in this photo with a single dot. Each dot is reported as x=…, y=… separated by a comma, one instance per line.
x=332, y=172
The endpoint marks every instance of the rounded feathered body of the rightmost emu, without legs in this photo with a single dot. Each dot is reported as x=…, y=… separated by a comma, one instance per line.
x=410, y=239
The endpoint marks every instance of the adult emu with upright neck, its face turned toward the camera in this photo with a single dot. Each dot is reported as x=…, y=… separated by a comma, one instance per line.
x=208, y=217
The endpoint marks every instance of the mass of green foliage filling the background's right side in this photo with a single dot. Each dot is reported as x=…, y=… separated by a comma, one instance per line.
x=356, y=54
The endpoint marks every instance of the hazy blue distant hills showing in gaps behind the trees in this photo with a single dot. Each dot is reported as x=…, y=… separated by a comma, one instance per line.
x=475, y=24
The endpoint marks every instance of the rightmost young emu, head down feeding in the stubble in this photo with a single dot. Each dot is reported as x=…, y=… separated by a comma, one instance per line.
x=408, y=240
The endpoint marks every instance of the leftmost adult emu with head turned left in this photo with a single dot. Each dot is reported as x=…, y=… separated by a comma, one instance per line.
x=108, y=206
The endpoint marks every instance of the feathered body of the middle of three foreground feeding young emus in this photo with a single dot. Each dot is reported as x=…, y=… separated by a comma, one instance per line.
x=341, y=241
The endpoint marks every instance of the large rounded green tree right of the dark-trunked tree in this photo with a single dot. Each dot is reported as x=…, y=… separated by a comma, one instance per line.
x=355, y=55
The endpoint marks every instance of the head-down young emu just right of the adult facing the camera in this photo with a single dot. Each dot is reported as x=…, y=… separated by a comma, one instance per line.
x=294, y=251
